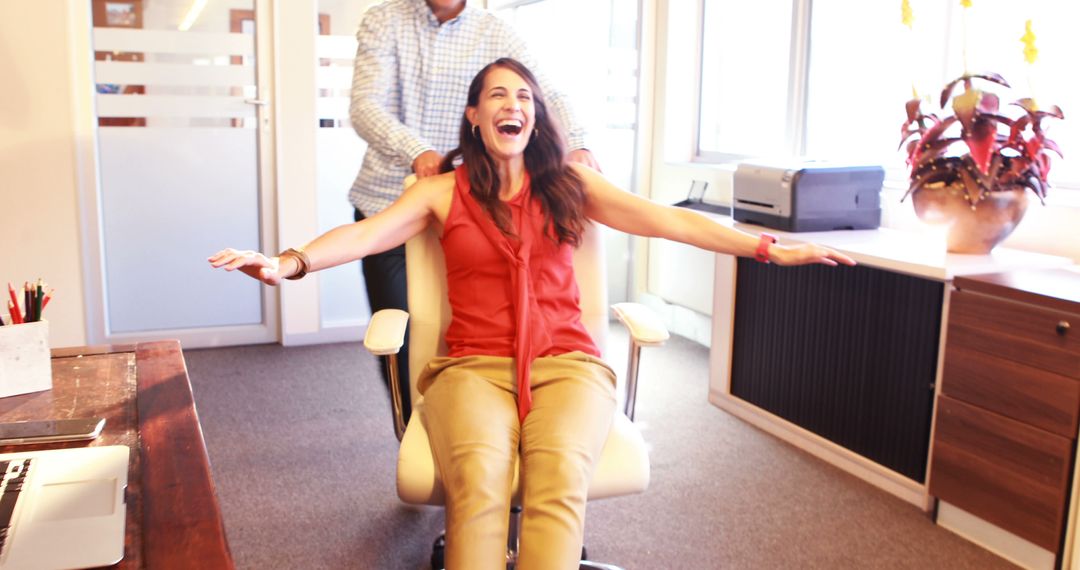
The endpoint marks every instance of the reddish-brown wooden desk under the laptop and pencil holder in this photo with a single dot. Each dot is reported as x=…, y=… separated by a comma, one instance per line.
x=143, y=391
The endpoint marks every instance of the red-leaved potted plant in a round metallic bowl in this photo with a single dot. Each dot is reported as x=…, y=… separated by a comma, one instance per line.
x=971, y=169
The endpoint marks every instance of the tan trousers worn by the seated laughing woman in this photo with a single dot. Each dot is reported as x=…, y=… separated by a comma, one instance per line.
x=470, y=412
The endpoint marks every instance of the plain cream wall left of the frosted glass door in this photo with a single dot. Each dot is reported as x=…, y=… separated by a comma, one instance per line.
x=39, y=221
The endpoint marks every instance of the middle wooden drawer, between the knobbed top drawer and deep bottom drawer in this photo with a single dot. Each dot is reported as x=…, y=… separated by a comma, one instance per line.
x=1032, y=396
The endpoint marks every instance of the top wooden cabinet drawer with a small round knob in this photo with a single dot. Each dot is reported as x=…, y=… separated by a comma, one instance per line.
x=1018, y=332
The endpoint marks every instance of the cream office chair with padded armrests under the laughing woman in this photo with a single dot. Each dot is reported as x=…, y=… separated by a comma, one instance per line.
x=624, y=468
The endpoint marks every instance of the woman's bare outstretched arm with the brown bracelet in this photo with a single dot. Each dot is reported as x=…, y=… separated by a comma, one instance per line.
x=426, y=201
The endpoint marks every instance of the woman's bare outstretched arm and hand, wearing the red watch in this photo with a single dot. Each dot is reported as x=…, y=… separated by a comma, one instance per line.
x=632, y=214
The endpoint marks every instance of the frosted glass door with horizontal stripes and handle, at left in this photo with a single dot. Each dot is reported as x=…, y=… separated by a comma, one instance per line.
x=181, y=128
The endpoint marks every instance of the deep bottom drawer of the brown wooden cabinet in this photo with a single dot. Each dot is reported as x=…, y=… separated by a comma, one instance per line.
x=1003, y=471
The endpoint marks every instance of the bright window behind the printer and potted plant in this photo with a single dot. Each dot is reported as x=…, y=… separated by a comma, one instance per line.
x=829, y=80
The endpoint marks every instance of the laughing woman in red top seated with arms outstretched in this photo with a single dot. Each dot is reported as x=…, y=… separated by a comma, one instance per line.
x=523, y=375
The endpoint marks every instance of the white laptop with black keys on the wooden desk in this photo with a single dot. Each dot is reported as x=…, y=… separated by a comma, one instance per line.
x=67, y=508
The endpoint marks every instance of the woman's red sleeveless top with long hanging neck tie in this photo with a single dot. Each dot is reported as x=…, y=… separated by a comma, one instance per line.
x=510, y=296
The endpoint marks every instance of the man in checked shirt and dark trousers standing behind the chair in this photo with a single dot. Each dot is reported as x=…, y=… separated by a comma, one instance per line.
x=415, y=61
